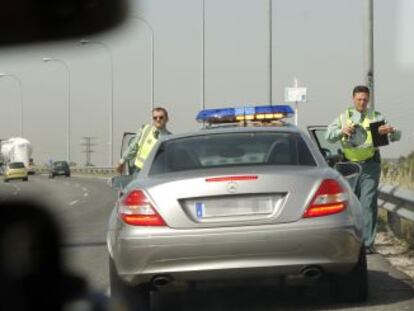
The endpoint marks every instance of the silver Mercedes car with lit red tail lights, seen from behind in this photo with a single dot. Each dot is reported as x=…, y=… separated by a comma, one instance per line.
x=234, y=202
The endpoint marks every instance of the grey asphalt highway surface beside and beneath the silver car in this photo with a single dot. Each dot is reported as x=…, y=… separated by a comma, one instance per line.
x=82, y=206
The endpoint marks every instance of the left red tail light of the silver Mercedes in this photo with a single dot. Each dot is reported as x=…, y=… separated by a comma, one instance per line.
x=135, y=209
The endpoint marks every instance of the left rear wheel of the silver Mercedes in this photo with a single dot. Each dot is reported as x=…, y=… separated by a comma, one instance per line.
x=129, y=297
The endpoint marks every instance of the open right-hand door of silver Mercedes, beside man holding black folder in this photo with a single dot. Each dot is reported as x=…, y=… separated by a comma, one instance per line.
x=333, y=154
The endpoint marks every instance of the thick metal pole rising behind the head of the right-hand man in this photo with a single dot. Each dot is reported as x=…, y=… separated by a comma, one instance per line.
x=370, y=49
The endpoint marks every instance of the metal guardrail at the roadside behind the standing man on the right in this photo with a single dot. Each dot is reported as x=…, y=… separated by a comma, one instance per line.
x=399, y=203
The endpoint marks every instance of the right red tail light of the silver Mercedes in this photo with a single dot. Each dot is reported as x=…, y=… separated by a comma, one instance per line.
x=329, y=199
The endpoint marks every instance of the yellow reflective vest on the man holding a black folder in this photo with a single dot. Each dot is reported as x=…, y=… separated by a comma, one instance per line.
x=364, y=151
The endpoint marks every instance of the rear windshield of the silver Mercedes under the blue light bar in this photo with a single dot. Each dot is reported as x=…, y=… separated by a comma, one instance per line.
x=231, y=149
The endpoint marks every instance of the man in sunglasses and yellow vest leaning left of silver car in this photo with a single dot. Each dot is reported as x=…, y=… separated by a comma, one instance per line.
x=145, y=139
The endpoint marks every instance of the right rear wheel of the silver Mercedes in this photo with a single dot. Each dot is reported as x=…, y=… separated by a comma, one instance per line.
x=352, y=287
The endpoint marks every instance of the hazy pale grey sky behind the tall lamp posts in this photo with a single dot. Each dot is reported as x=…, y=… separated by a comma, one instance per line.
x=321, y=42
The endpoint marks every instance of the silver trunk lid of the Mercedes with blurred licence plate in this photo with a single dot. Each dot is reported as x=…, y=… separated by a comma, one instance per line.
x=229, y=197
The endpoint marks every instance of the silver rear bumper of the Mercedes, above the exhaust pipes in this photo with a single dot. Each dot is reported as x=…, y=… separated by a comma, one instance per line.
x=191, y=255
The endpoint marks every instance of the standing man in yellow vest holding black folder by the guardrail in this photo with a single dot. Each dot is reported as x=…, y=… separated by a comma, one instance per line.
x=351, y=128
